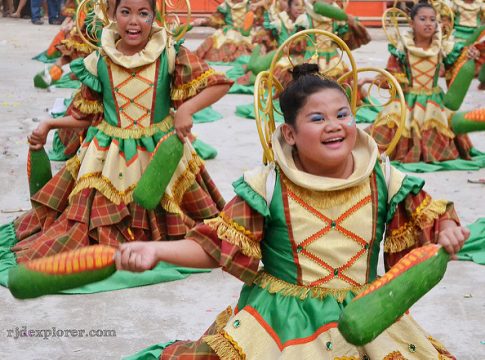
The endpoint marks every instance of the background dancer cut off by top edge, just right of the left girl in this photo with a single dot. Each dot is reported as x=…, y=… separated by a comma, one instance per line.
x=231, y=40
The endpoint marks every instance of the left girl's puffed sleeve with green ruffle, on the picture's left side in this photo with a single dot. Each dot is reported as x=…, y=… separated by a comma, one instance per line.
x=87, y=102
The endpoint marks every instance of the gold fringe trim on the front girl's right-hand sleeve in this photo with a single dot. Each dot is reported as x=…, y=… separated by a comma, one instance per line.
x=405, y=236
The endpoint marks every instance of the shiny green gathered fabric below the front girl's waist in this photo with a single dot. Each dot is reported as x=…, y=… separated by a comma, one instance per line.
x=301, y=317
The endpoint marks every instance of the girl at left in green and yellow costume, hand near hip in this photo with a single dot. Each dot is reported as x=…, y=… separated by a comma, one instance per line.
x=129, y=88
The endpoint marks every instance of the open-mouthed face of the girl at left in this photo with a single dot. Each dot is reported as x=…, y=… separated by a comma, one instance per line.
x=135, y=19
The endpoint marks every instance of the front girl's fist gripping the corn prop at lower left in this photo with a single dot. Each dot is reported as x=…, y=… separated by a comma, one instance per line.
x=136, y=256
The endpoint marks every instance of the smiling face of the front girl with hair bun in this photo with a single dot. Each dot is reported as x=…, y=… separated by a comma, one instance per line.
x=324, y=133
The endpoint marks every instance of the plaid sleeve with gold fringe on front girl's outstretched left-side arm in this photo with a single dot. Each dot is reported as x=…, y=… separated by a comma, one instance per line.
x=233, y=239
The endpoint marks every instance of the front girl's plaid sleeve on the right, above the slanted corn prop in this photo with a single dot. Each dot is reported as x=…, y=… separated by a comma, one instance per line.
x=415, y=223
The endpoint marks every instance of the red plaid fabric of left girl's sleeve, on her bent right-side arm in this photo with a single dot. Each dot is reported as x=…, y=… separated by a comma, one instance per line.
x=190, y=67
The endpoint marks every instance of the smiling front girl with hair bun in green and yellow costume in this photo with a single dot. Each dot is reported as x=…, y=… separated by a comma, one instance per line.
x=315, y=218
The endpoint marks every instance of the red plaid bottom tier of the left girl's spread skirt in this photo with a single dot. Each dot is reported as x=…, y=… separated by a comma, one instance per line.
x=55, y=225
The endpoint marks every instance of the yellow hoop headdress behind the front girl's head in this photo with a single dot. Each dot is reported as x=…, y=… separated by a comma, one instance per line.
x=268, y=87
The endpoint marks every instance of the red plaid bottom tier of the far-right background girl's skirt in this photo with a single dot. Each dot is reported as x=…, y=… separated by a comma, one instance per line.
x=430, y=146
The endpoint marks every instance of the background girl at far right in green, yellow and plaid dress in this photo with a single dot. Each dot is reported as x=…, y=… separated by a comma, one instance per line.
x=414, y=61
